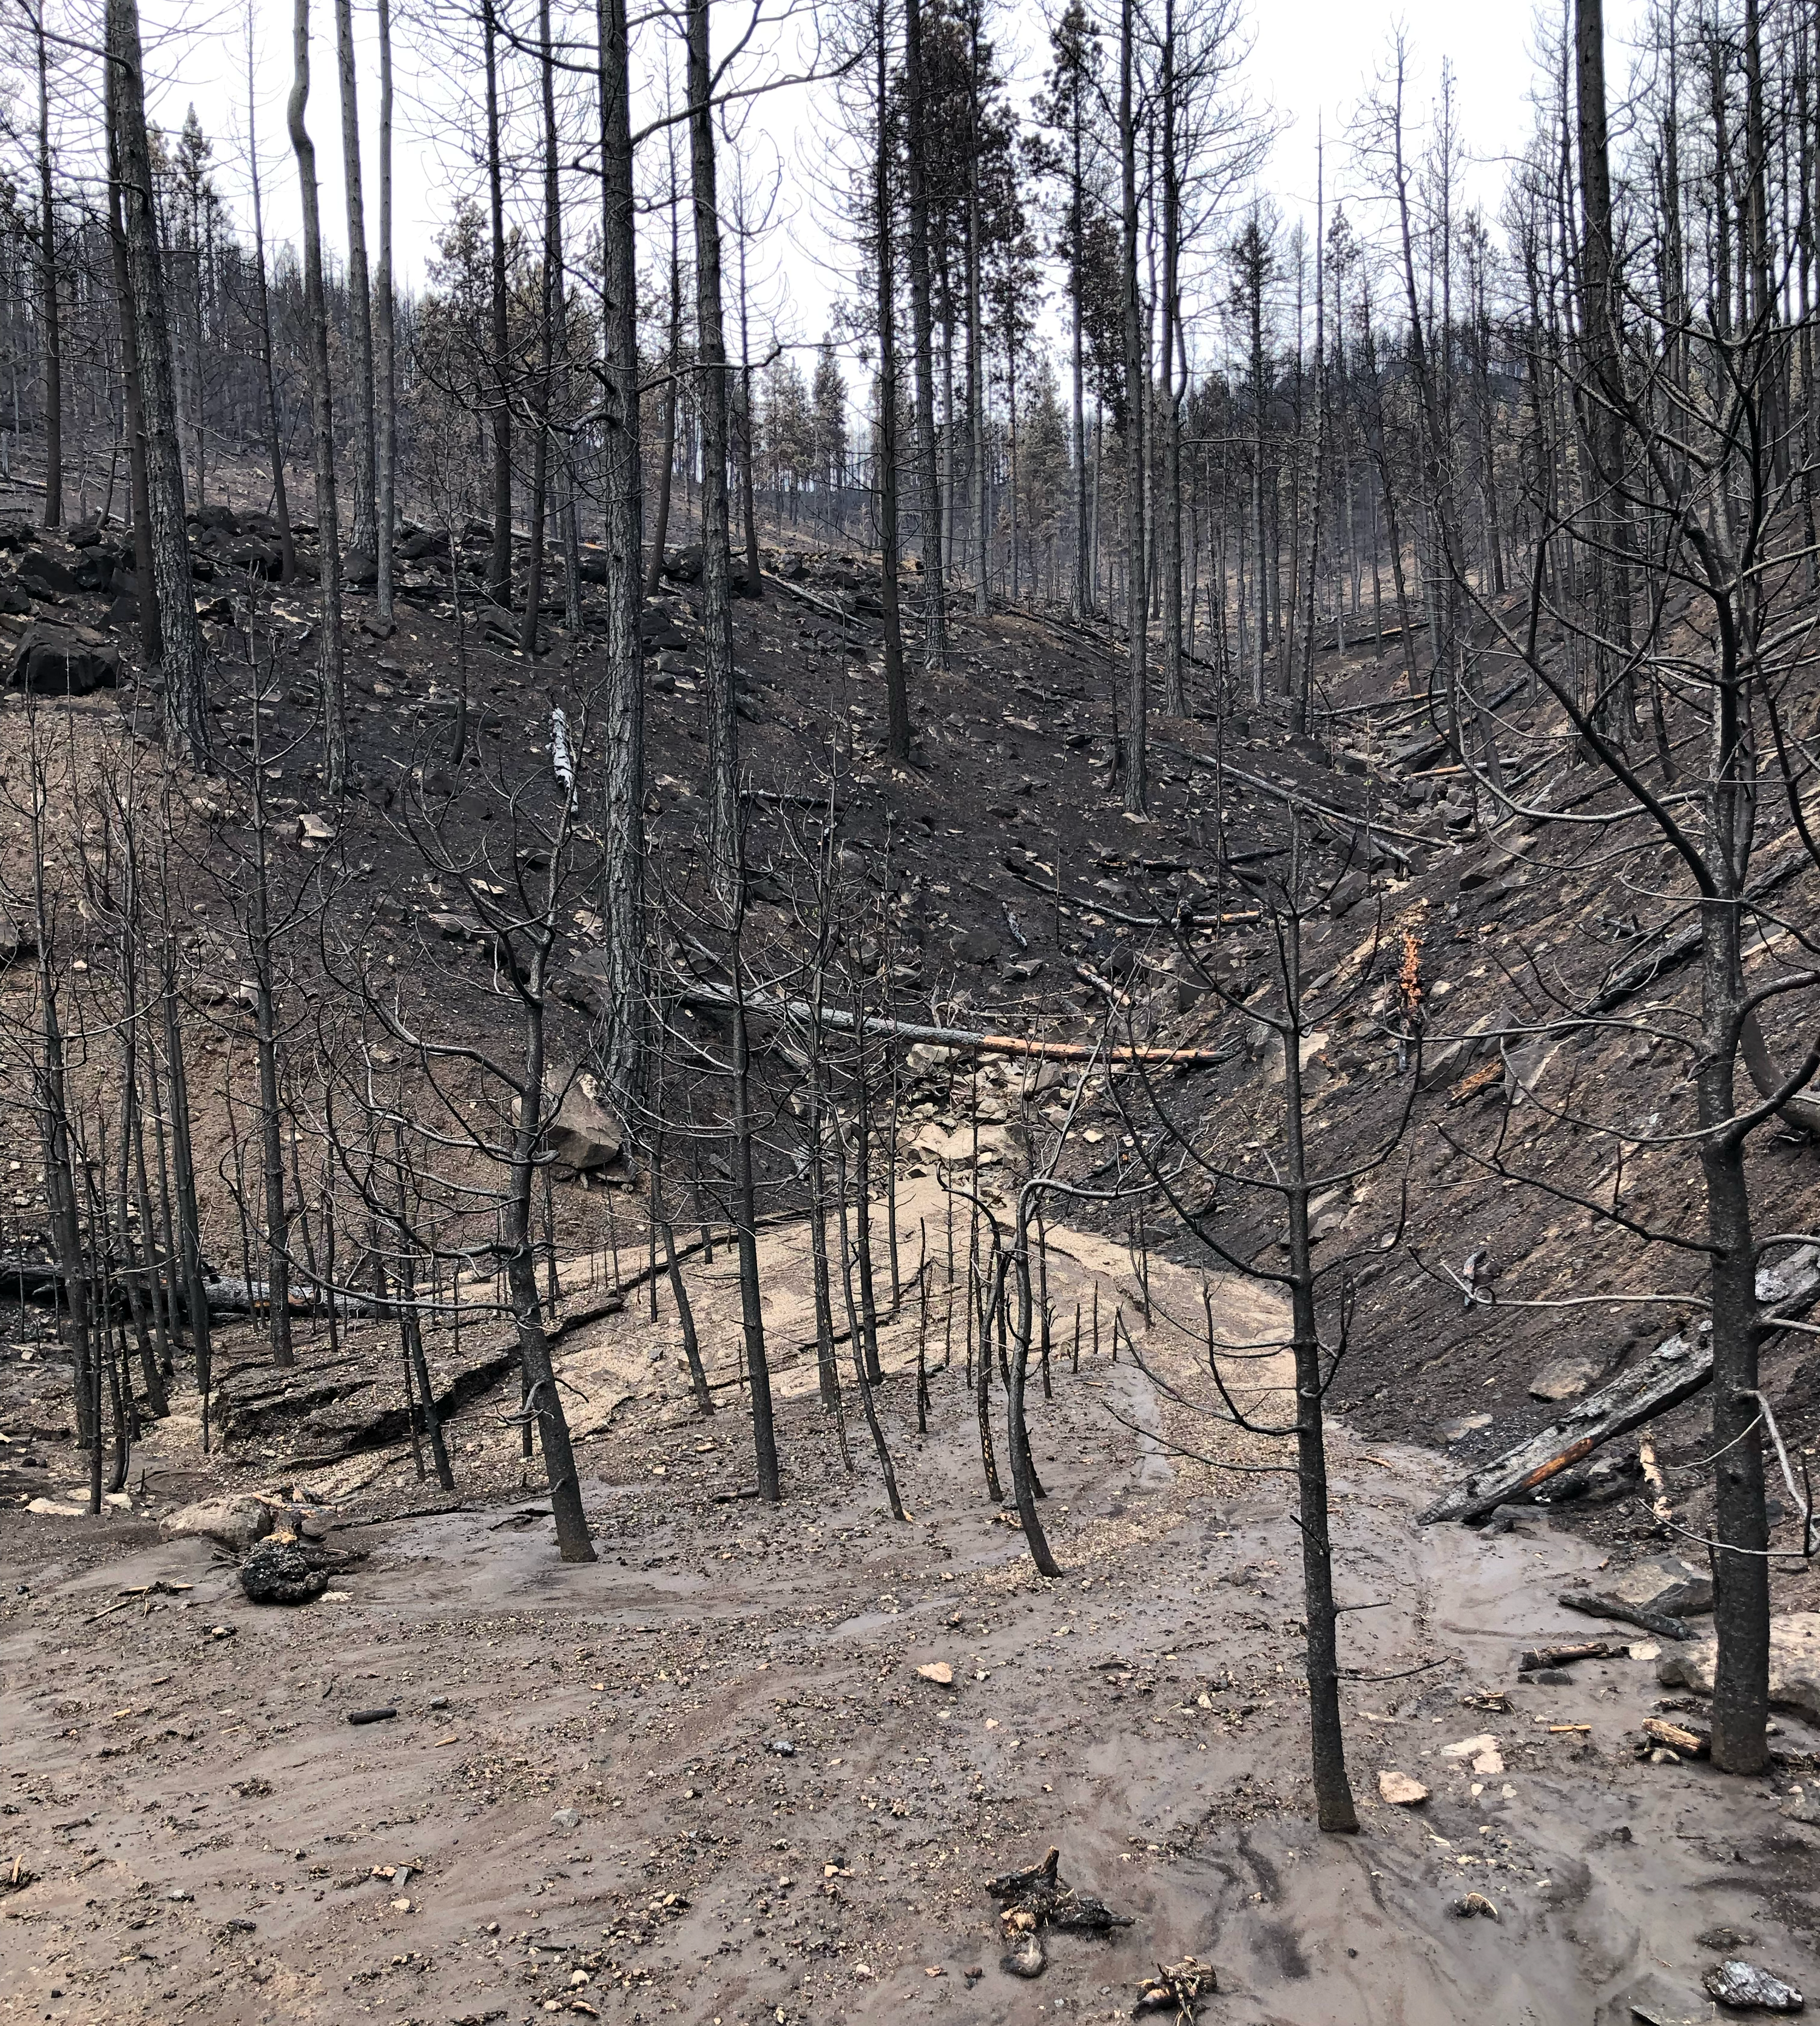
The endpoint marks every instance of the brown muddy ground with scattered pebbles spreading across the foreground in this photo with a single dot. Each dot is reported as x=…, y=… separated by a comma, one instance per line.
x=704, y=1780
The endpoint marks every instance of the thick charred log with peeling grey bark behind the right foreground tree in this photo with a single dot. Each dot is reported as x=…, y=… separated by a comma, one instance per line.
x=1673, y=1373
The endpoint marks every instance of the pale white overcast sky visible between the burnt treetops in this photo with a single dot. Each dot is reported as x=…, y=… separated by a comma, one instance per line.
x=1310, y=64
